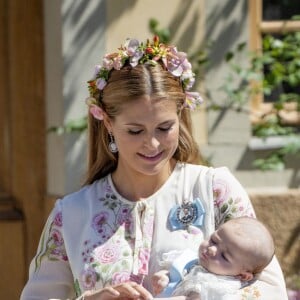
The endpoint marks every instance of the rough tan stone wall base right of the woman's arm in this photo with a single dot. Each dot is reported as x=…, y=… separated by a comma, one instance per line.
x=280, y=211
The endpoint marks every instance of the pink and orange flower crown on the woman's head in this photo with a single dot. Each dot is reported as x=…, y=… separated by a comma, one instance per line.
x=134, y=53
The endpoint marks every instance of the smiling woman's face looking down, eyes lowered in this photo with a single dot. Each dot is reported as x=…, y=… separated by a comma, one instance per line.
x=146, y=133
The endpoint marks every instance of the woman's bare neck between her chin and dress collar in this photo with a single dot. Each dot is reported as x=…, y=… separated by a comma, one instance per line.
x=135, y=186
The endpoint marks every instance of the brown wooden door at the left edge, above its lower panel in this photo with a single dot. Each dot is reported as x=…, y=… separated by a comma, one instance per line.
x=22, y=118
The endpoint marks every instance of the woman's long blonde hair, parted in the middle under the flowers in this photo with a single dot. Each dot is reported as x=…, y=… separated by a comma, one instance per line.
x=124, y=87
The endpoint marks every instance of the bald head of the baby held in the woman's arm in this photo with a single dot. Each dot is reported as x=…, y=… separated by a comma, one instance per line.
x=241, y=247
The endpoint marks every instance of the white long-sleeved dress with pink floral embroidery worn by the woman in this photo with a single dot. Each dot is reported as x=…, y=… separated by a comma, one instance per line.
x=95, y=238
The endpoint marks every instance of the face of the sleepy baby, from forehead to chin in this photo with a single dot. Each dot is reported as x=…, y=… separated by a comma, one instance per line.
x=224, y=252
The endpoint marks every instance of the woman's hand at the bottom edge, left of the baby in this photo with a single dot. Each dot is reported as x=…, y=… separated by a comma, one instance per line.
x=124, y=291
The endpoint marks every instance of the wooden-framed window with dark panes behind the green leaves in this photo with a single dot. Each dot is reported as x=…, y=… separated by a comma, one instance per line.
x=273, y=19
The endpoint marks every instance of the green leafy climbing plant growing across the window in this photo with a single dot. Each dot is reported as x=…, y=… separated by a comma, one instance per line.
x=278, y=68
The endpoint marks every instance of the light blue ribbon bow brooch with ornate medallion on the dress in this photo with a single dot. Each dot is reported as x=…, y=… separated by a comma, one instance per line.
x=186, y=214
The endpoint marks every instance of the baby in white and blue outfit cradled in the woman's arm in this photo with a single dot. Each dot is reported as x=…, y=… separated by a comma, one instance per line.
x=238, y=249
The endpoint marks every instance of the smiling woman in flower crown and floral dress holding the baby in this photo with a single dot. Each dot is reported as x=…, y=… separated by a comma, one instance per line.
x=145, y=192
